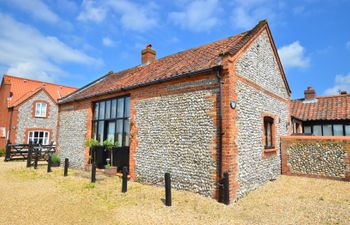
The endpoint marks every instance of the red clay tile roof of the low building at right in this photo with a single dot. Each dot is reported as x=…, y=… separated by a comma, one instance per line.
x=324, y=108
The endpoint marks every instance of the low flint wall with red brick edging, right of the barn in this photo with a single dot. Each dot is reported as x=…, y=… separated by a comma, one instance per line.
x=313, y=156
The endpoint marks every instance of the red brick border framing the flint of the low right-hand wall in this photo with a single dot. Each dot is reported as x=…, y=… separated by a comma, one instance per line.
x=286, y=141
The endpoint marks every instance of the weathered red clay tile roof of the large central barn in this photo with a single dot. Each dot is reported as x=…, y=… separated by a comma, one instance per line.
x=170, y=67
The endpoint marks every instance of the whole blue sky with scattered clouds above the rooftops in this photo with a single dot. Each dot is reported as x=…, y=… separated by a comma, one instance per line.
x=75, y=42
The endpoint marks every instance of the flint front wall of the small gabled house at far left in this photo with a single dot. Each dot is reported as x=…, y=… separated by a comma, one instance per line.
x=27, y=121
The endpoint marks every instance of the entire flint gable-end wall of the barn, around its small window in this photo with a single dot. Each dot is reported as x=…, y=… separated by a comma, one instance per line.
x=258, y=65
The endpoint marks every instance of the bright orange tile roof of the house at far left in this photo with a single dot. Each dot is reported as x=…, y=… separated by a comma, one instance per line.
x=23, y=88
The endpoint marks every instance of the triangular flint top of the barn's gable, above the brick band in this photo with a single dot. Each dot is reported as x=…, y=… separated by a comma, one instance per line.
x=259, y=65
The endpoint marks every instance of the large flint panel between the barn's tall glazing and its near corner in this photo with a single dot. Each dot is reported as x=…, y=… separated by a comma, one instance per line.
x=175, y=134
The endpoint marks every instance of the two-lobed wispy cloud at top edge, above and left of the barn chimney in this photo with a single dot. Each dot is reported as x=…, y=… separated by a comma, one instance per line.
x=132, y=16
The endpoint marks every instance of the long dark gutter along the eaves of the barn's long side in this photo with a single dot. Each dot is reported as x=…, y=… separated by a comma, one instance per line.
x=212, y=69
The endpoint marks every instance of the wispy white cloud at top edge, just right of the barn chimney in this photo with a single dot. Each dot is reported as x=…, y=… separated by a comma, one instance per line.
x=199, y=15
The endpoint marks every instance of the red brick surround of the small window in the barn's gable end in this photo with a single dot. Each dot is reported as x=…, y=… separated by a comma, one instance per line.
x=270, y=151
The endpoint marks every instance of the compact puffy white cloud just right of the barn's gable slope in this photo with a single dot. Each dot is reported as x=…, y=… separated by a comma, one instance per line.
x=293, y=55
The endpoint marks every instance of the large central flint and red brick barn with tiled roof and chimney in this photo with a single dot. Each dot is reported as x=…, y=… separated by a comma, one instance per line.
x=217, y=108
